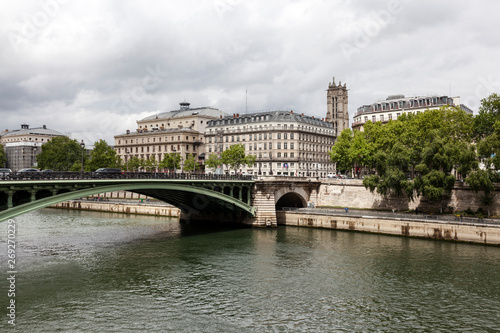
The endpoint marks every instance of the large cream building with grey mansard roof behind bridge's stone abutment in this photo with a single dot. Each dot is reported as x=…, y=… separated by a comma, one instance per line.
x=283, y=142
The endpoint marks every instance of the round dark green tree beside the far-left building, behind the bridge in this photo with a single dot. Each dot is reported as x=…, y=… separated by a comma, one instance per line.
x=60, y=153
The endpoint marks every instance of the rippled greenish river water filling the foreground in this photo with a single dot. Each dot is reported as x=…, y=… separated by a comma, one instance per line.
x=99, y=272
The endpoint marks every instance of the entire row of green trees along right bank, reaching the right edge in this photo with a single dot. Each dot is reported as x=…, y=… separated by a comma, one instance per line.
x=424, y=154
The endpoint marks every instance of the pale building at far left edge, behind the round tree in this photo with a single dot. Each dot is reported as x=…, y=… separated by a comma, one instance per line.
x=23, y=145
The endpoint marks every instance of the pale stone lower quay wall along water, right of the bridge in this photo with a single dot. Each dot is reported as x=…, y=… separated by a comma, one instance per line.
x=409, y=226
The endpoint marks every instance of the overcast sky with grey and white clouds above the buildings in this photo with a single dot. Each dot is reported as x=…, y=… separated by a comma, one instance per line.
x=91, y=69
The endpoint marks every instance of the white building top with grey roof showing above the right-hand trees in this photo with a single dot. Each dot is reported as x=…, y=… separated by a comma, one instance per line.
x=394, y=106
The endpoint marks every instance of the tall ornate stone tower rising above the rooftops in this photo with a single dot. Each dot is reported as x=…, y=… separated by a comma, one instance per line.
x=336, y=104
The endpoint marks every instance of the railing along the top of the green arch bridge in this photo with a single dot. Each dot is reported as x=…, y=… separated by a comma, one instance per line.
x=66, y=175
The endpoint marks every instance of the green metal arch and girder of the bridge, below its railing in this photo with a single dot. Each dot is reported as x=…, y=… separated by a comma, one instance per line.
x=191, y=196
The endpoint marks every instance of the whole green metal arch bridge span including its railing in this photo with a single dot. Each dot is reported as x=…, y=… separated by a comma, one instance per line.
x=199, y=195
